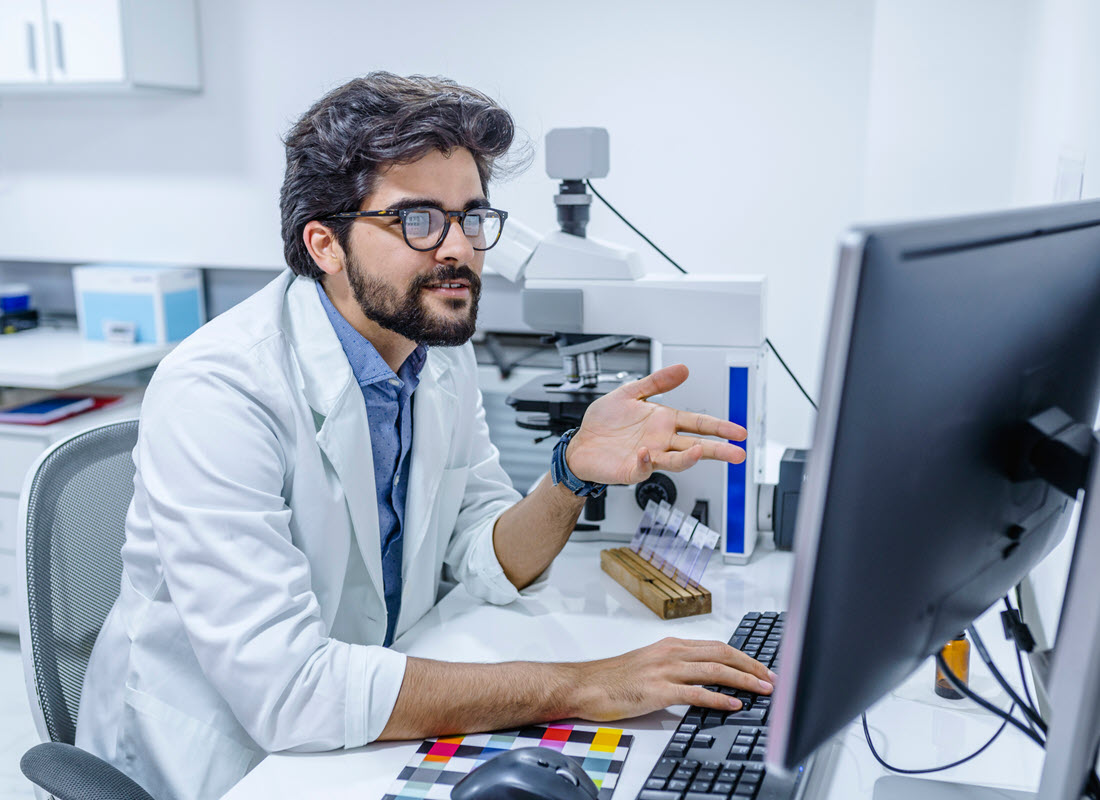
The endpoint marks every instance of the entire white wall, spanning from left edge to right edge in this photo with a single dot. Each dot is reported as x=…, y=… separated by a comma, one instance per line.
x=788, y=120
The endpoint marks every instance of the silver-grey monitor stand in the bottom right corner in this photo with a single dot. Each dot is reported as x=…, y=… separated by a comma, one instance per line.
x=1074, y=688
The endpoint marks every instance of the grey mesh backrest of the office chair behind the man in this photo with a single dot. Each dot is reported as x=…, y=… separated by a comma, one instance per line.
x=76, y=516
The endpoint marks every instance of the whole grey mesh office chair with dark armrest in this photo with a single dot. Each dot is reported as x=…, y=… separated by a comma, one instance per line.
x=73, y=522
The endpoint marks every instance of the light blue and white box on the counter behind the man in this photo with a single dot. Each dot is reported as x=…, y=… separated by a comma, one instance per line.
x=155, y=305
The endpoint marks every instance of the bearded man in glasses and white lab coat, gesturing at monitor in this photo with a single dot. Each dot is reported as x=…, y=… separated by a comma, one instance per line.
x=311, y=463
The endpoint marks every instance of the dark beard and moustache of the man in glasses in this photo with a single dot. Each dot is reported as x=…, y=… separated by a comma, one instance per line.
x=409, y=315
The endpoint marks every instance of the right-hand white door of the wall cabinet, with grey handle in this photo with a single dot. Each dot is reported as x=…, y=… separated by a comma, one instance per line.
x=85, y=41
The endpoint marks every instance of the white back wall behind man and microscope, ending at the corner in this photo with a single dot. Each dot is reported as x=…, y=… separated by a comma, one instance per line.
x=755, y=112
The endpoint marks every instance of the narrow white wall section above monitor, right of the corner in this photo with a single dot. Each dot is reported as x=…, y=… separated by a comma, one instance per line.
x=950, y=84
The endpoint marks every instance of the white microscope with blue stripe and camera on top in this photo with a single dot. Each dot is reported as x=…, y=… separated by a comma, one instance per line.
x=593, y=298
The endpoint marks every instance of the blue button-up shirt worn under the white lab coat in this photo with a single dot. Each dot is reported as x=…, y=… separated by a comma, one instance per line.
x=389, y=401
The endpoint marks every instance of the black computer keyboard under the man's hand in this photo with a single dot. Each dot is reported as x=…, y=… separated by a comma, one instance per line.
x=719, y=755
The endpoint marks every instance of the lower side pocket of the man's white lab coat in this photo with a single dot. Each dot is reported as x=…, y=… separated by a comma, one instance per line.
x=195, y=761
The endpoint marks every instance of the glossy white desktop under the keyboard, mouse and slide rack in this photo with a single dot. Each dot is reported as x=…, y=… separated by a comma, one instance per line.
x=584, y=615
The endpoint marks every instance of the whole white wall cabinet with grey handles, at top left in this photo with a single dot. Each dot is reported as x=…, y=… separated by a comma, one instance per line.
x=56, y=46
